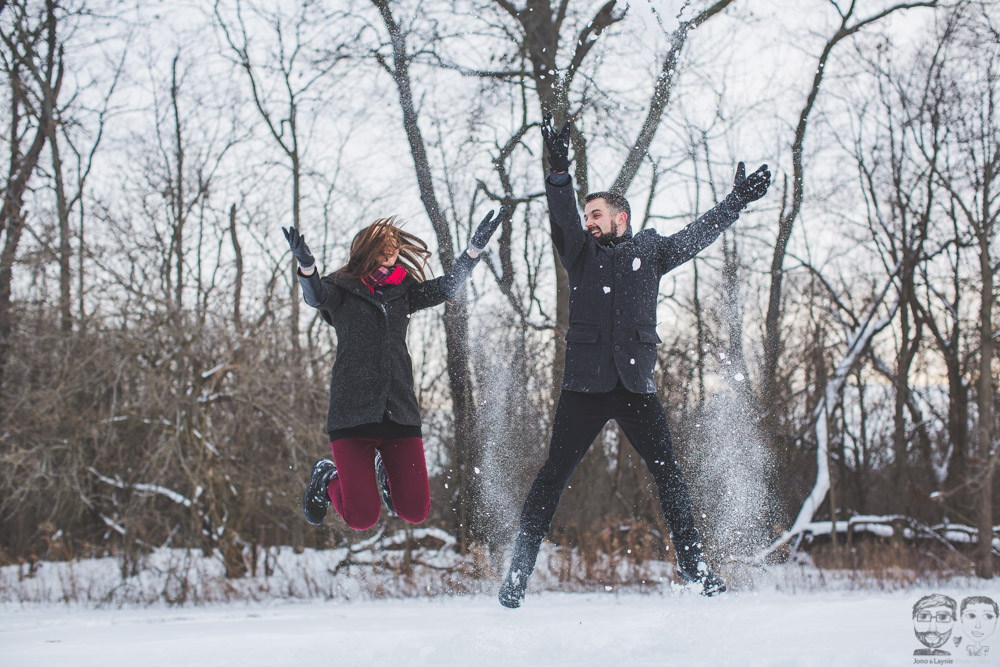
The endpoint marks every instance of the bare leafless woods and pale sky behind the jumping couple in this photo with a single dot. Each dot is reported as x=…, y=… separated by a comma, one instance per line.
x=833, y=358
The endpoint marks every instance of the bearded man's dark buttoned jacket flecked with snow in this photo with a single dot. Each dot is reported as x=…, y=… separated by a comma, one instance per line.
x=613, y=291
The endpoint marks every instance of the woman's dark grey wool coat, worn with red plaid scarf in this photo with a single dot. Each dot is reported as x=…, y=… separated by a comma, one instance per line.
x=373, y=372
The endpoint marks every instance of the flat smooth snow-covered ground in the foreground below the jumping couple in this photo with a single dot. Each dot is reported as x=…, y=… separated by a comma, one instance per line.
x=677, y=627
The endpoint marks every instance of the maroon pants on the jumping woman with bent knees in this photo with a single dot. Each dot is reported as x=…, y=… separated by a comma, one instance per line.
x=354, y=491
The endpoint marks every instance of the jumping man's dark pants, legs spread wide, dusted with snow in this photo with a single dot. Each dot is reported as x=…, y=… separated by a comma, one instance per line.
x=579, y=418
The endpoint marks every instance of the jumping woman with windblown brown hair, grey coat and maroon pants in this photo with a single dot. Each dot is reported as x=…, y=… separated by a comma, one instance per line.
x=374, y=420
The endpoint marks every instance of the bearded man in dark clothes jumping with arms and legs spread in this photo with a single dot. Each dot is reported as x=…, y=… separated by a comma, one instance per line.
x=611, y=350
